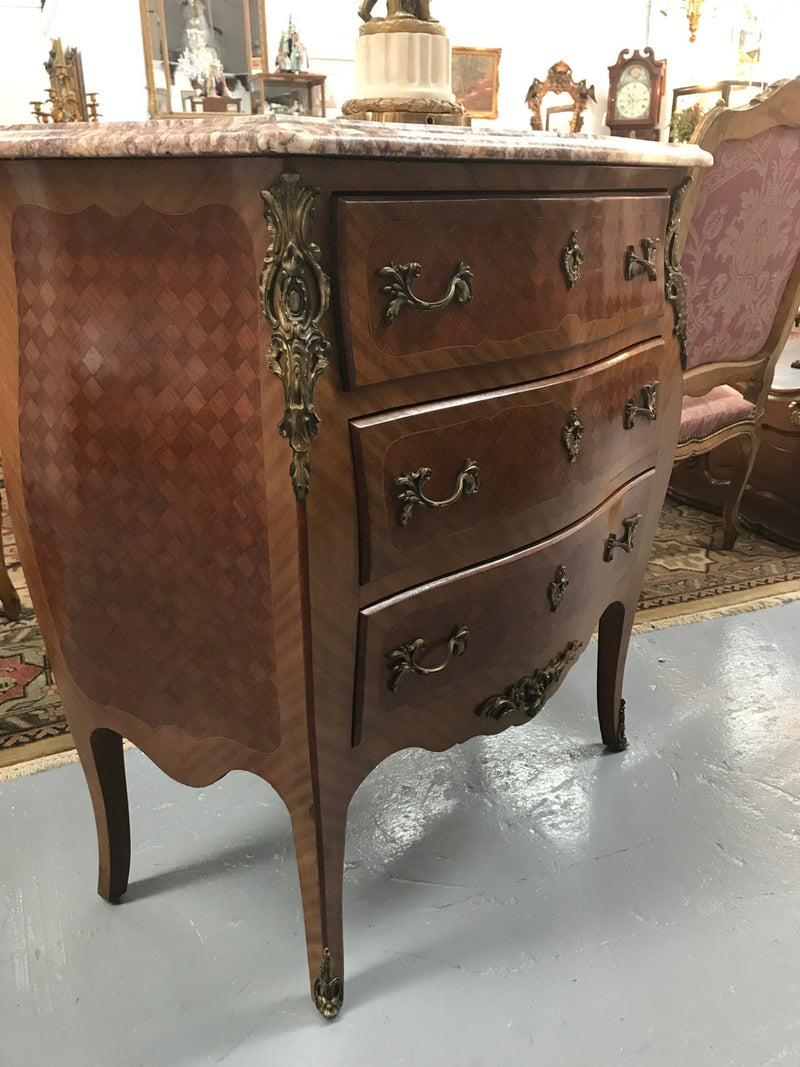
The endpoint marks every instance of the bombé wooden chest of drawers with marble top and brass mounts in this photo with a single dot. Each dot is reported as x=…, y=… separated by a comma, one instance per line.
x=398, y=529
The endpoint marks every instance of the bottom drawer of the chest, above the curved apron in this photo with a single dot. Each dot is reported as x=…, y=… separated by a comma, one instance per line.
x=450, y=650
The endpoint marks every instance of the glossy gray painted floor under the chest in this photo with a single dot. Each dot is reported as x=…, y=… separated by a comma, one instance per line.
x=521, y=900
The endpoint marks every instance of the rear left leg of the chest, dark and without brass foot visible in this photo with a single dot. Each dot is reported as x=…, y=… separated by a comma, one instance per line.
x=104, y=765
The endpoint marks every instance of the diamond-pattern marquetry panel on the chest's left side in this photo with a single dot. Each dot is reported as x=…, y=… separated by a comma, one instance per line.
x=141, y=447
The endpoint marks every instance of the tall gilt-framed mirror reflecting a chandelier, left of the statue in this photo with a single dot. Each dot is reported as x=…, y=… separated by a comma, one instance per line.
x=201, y=55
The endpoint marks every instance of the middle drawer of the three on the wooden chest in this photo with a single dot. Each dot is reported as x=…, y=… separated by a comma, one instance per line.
x=506, y=468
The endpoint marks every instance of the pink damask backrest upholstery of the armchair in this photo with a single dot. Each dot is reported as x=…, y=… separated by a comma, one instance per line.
x=743, y=245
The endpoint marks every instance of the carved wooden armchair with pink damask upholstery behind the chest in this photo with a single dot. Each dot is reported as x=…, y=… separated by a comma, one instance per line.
x=742, y=261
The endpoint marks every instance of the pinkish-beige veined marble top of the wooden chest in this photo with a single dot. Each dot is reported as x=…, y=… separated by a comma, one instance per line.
x=268, y=136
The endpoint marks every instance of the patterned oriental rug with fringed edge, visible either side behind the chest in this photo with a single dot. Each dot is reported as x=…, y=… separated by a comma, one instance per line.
x=686, y=581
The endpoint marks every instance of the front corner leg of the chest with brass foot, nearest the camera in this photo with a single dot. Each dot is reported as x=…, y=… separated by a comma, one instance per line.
x=321, y=851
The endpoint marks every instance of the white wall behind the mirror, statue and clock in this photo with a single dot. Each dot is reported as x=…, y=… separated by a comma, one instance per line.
x=587, y=35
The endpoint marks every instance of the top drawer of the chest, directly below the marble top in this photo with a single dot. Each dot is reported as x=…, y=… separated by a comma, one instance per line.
x=517, y=299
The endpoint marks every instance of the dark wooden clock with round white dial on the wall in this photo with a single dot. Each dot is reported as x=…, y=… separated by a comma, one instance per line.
x=635, y=90
